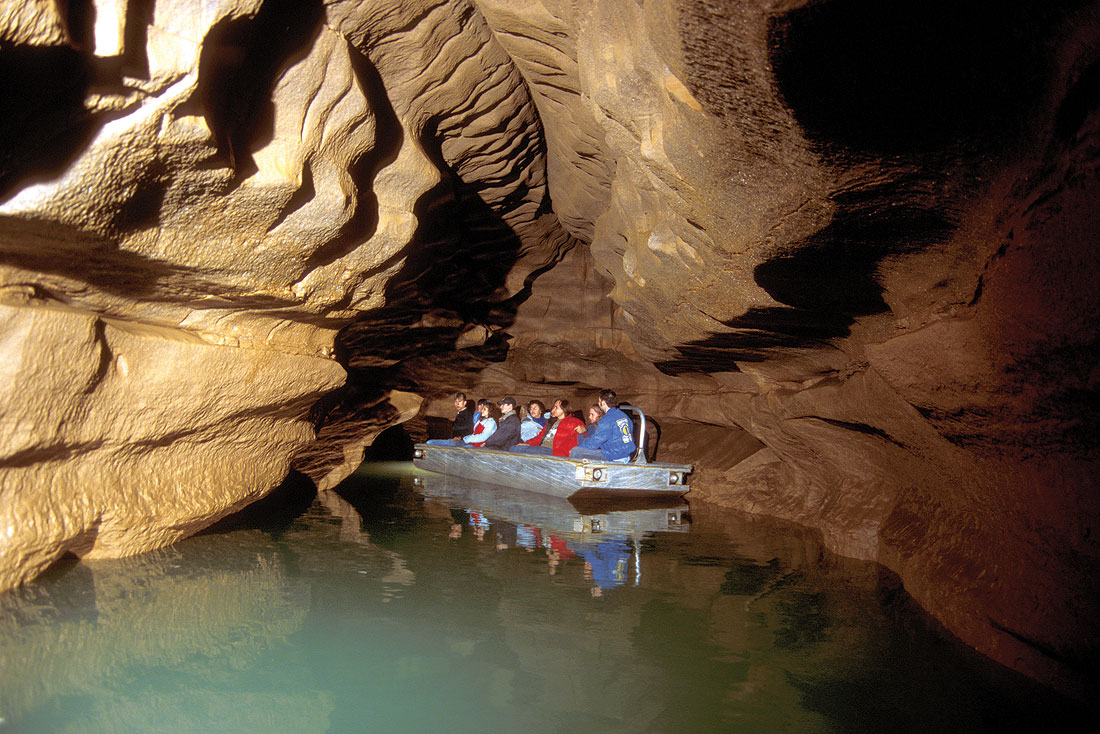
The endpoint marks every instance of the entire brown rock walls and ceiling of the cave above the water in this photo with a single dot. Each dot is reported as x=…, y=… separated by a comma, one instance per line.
x=851, y=244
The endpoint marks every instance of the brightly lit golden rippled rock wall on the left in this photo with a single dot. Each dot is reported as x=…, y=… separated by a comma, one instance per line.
x=193, y=202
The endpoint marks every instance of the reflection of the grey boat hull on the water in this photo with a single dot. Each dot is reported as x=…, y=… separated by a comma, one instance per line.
x=557, y=514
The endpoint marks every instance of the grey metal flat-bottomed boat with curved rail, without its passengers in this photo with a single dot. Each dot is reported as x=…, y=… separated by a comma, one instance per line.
x=557, y=476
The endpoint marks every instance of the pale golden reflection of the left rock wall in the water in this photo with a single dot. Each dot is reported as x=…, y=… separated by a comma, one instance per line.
x=82, y=652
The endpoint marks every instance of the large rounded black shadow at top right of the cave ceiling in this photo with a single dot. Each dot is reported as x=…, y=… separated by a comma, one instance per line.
x=890, y=79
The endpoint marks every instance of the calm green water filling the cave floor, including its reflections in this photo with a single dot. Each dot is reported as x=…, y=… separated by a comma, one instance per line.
x=383, y=610
